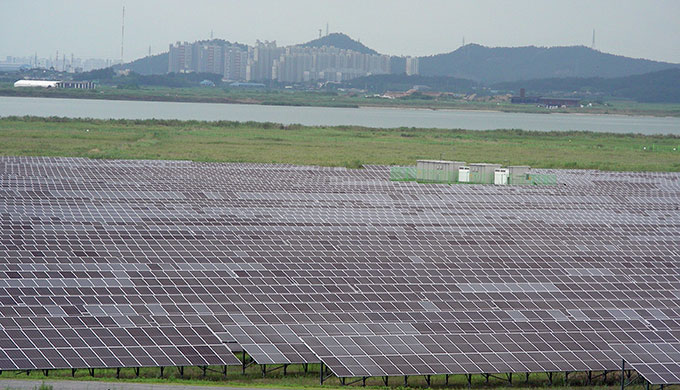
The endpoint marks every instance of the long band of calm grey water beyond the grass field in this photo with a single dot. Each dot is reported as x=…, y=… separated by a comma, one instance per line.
x=322, y=116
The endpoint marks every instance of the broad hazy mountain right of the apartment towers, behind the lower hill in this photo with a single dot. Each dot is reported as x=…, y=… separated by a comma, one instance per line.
x=501, y=64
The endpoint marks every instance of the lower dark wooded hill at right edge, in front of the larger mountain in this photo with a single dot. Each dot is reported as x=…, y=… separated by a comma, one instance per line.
x=655, y=87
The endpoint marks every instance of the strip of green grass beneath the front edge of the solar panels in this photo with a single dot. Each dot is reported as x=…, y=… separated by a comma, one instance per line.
x=296, y=378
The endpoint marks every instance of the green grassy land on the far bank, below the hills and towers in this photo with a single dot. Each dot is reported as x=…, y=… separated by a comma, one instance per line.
x=323, y=99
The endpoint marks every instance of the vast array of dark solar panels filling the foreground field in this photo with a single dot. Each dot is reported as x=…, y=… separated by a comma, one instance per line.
x=159, y=263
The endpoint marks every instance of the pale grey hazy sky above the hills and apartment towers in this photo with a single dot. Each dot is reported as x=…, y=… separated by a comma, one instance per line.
x=91, y=28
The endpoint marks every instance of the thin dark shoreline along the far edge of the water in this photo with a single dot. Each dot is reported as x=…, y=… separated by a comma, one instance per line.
x=226, y=100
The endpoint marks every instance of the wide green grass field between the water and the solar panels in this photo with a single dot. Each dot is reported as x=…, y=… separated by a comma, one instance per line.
x=332, y=146
